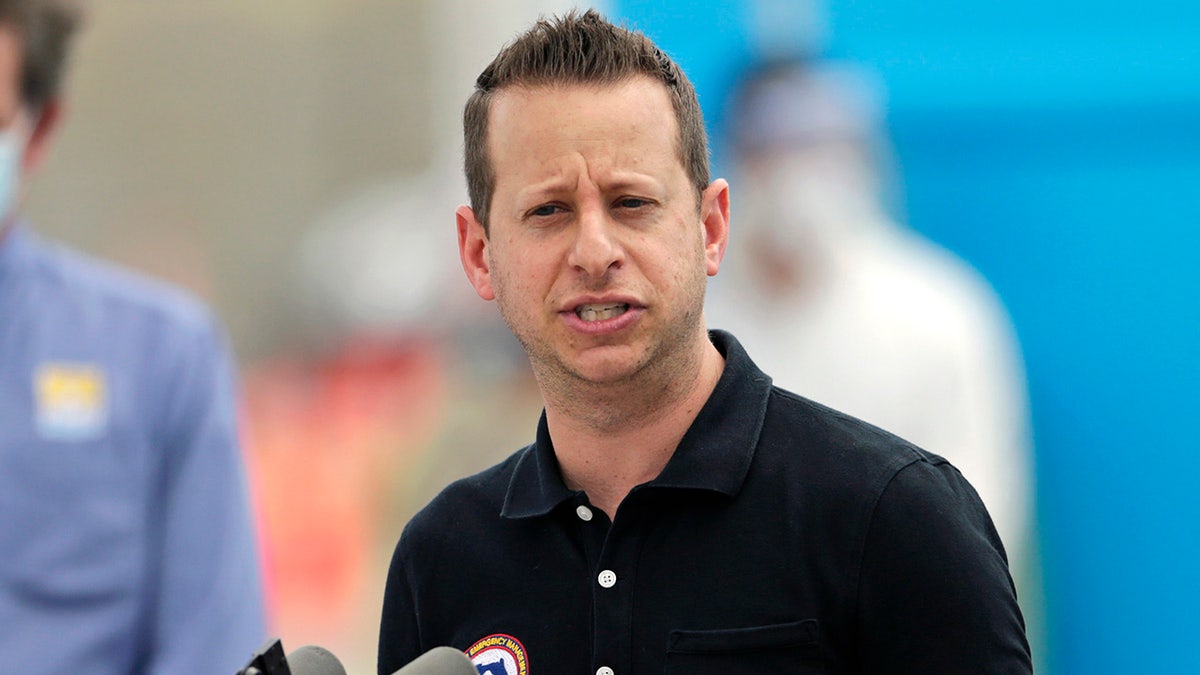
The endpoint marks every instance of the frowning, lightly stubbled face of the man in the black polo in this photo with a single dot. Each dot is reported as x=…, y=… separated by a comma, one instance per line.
x=592, y=142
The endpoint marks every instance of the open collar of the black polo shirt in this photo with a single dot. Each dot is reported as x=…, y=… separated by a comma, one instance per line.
x=715, y=455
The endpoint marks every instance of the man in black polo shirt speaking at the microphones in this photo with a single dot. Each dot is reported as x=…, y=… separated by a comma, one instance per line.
x=676, y=512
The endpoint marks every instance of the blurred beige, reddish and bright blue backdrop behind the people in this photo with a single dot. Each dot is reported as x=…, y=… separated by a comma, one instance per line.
x=296, y=163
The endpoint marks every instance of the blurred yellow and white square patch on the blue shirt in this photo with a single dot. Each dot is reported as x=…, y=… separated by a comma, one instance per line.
x=73, y=402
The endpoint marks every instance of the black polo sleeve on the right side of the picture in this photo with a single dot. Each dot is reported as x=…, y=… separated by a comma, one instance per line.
x=935, y=593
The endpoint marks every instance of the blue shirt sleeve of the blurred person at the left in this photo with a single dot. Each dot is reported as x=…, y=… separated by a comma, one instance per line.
x=208, y=606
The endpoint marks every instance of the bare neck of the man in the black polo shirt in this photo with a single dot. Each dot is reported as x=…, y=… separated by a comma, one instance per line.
x=611, y=439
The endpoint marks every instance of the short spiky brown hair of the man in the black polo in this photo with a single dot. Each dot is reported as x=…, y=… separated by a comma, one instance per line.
x=578, y=50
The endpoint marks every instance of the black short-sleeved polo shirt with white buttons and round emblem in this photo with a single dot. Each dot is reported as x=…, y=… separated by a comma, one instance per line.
x=782, y=537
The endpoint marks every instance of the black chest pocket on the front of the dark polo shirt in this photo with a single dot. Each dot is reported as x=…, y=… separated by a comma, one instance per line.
x=781, y=648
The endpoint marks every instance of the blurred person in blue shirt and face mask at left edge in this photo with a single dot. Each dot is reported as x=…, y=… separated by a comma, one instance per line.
x=127, y=539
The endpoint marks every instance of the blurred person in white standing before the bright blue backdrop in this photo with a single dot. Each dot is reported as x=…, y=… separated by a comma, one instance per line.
x=849, y=308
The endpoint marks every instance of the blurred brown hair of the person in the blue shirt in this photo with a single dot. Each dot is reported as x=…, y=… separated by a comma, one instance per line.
x=46, y=28
